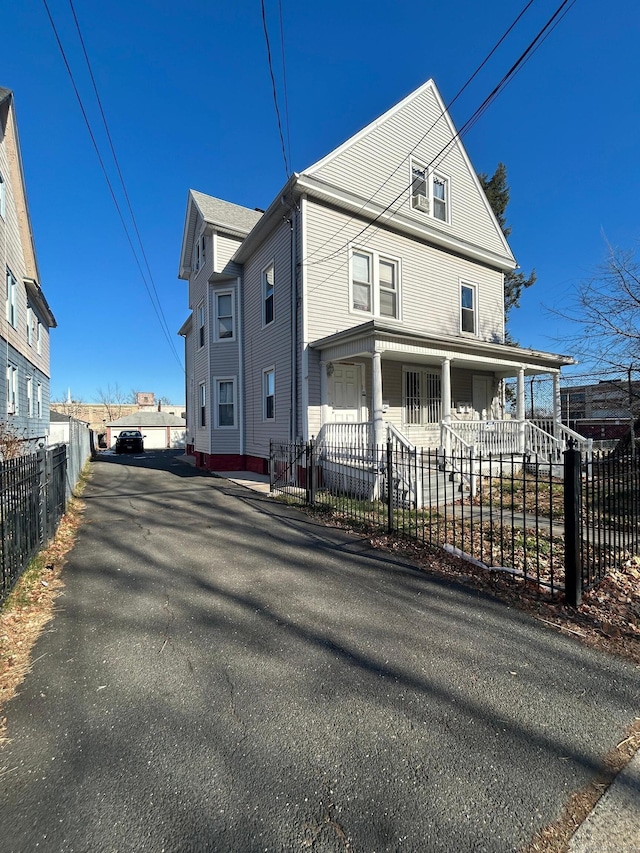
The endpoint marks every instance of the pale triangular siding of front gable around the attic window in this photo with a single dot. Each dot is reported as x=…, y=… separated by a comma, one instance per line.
x=383, y=156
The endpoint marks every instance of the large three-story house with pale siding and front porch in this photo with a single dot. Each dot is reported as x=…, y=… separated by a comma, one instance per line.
x=368, y=298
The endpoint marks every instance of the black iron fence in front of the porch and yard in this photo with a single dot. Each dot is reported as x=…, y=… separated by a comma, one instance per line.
x=561, y=527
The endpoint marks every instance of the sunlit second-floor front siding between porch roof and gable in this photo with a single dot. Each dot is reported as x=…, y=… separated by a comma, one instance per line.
x=429, y=280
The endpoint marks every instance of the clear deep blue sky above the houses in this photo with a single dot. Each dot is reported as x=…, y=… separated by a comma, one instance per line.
x=187, y=94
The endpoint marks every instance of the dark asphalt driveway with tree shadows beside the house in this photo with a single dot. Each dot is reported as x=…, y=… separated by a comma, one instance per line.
x=226, y=675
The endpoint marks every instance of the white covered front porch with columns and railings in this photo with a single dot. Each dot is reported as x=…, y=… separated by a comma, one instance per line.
x=380, y=382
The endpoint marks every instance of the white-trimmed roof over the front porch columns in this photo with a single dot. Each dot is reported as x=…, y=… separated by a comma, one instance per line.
x=404, y=343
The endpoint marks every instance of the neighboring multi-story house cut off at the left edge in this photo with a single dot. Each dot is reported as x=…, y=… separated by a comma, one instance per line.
x=24, y=333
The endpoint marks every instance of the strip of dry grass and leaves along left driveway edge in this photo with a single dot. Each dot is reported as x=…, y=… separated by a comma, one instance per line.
x=31, y=604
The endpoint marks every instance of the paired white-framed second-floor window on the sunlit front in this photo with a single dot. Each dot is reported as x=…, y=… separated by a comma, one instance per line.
x=375, y=284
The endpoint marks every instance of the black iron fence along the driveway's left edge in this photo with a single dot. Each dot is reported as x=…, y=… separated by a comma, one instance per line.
x=32, y=502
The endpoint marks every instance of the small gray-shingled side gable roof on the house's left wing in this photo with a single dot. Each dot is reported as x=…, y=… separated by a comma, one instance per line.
x=232, y=219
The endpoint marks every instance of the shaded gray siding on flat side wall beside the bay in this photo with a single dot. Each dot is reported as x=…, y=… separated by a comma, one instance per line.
x=269, y=346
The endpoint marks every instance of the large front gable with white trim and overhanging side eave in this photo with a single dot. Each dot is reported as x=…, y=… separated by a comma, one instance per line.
x=369, y=176
